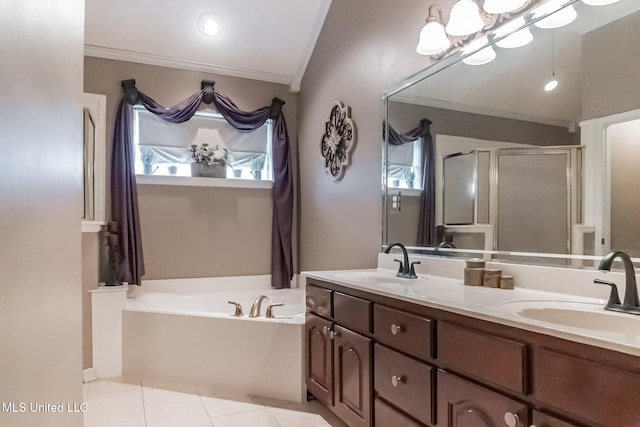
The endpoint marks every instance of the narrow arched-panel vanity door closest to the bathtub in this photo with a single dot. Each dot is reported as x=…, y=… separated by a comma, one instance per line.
x=319, y=355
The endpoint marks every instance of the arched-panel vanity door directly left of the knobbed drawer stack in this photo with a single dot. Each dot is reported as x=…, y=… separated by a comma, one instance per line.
x=352, y=381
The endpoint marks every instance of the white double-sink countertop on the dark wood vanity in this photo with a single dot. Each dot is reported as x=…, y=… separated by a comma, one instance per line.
x=497, y=305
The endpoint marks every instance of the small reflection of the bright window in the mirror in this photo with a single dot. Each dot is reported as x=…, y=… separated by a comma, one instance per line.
x=405, y=166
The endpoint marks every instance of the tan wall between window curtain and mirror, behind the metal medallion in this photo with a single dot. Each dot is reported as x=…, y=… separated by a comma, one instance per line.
x=364, y=48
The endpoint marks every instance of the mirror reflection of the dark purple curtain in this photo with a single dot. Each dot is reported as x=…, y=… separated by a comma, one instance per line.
x=427, y=221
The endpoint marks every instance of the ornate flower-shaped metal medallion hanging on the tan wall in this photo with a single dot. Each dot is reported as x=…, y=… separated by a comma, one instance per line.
x=338, y=140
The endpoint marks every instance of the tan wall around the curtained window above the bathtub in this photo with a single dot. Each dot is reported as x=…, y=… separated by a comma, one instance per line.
x=196, y=231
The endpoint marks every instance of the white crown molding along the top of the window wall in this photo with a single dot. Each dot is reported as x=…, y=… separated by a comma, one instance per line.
x=163, y=61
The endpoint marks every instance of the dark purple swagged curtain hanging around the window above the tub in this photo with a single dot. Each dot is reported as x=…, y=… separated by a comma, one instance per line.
x=124, y=201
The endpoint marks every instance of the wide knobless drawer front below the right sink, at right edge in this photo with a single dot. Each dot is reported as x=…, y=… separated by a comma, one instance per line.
x=600, y=394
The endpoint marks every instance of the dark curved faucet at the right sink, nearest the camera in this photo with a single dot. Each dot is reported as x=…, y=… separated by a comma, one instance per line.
x=631, y=303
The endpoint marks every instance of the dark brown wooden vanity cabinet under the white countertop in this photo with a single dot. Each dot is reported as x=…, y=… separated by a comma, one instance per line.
x=380, y=361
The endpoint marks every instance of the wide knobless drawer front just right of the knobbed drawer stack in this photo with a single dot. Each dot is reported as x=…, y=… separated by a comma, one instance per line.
x=486, y=357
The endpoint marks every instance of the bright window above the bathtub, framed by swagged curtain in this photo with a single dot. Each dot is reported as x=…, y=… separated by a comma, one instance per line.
x=163, y=148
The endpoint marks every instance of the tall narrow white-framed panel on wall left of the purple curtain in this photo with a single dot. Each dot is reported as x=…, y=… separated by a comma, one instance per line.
x=93, y=165
